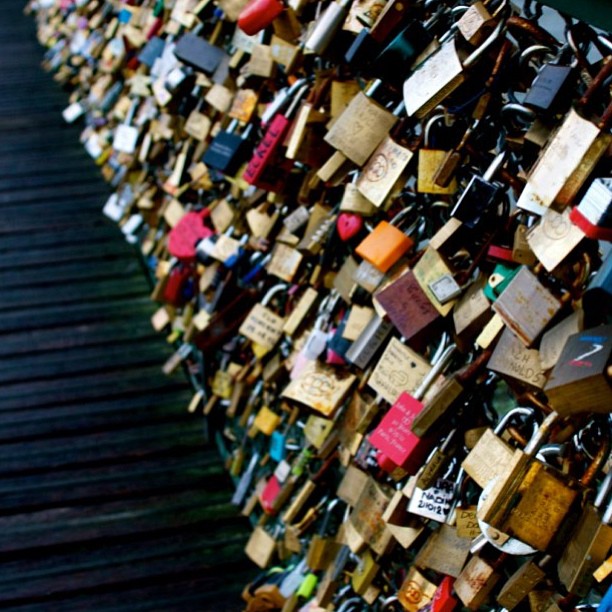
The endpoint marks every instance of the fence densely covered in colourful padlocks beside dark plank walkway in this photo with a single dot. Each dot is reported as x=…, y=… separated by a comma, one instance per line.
x=379, y=237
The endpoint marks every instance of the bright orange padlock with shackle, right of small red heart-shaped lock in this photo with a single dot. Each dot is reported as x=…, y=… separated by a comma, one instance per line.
x=385, y=244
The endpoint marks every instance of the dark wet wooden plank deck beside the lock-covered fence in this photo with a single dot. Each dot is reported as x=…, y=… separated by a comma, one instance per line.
x=109, y=500
